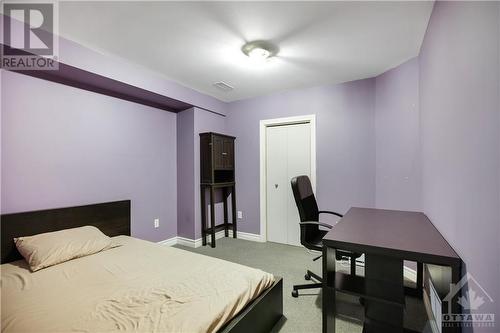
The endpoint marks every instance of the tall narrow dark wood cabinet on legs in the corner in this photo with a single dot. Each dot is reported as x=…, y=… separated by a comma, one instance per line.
x=217, y=173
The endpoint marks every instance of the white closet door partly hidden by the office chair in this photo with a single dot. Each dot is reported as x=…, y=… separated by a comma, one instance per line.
x=288, y=154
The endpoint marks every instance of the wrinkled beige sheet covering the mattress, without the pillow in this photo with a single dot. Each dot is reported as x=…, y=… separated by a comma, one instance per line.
x=139, y=286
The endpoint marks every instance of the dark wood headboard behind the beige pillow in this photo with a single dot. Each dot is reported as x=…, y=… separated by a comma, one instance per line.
x=112, y=218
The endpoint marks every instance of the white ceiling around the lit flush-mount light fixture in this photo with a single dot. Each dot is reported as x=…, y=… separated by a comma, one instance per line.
x=199, y=43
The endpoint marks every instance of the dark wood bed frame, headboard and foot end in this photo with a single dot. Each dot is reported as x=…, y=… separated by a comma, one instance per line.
x=113, y=219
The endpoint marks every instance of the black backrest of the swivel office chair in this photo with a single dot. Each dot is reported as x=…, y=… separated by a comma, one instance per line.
x=308, y=209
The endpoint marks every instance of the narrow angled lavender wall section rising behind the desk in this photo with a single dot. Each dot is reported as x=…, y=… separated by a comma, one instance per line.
x=397, y=138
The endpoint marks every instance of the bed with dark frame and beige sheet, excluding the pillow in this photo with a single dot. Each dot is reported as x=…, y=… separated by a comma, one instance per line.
x=137, y=286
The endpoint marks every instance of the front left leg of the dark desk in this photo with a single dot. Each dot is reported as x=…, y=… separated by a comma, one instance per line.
x=328, y=294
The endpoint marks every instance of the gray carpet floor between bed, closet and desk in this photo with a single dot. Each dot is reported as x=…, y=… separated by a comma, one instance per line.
x=302, y=314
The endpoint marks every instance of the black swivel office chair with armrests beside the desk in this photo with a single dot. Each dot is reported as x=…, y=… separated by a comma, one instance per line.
x=310, y=234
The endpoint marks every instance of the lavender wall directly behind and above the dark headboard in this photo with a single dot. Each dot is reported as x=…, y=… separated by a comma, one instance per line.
x=63, y=146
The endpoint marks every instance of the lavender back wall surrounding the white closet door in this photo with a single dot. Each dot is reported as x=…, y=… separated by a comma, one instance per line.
x=345, y=144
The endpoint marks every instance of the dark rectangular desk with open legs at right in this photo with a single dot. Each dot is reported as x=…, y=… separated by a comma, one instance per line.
x=386, y=238
